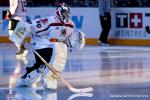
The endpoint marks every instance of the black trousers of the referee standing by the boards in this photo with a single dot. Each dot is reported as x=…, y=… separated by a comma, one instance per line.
x=105, y=25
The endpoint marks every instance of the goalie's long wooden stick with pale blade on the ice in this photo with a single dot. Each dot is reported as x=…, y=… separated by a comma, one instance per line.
x=71, y=88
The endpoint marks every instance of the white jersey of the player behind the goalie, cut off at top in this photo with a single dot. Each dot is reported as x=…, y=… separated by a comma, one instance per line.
x=18, y=7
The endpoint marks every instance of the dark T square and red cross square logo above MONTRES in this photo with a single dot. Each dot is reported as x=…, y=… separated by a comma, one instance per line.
x=133, y=20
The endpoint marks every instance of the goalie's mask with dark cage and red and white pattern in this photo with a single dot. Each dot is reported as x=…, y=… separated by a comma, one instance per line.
x=63, y=12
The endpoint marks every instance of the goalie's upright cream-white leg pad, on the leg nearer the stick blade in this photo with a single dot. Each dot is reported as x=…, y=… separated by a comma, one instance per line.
x=58, y=60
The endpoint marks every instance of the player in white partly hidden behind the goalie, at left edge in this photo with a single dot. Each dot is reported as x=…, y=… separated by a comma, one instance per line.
x=17, y=11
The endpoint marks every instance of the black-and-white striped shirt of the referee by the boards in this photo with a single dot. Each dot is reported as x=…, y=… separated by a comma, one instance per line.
x=104, y=6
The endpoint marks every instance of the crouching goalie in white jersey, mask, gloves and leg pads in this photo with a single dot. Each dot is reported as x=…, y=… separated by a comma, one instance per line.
x=42, y=31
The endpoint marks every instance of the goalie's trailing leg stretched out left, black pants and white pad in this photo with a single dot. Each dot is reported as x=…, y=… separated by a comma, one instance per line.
x=33, y=74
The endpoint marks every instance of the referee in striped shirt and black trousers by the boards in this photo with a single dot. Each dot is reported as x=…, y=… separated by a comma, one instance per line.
x=105, y=20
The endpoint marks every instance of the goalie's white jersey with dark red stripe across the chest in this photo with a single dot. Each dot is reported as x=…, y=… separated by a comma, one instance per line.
x=47, y=28
